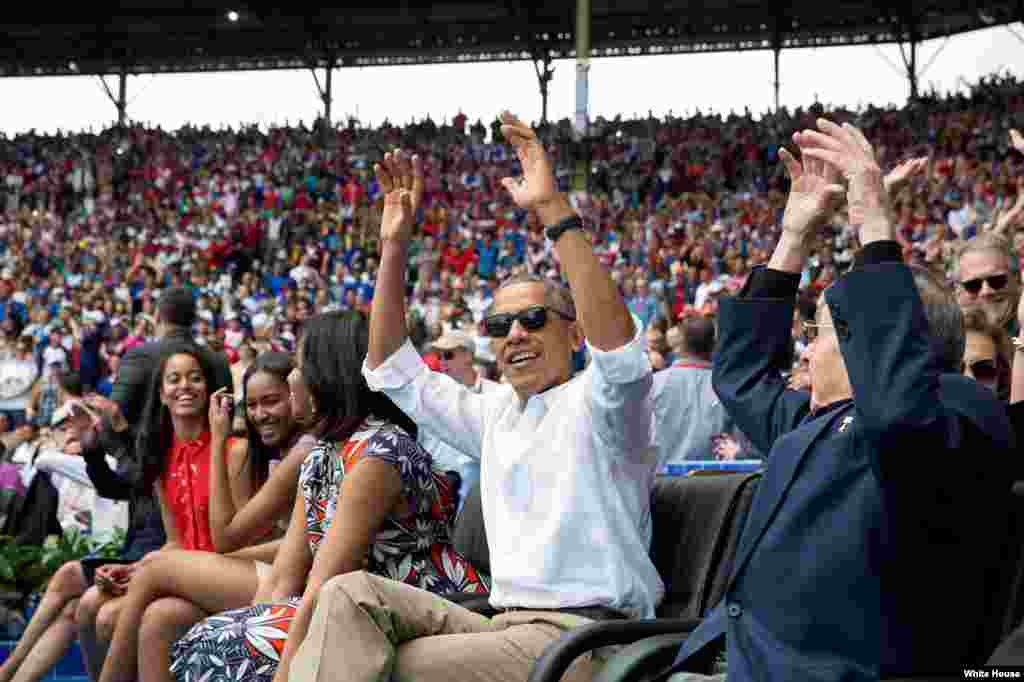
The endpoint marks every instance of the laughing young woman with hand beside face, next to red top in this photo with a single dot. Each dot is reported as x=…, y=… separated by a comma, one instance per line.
x=180, y=589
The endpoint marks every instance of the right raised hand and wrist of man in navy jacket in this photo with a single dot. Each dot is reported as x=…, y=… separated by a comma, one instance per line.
x=845, y=149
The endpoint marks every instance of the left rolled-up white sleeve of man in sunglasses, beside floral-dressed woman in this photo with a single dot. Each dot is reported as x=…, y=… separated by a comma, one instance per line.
x=436, y=402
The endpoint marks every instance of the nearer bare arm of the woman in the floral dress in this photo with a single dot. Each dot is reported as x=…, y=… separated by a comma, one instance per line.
x=368, y=495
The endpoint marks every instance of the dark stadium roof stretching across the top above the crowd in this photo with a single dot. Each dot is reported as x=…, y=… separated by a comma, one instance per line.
x=167, y=36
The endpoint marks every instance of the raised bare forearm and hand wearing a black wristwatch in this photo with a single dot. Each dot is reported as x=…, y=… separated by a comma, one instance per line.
x=601, y=310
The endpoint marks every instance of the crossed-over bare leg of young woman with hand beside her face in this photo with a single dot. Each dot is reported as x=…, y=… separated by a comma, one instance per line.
x=211, y=582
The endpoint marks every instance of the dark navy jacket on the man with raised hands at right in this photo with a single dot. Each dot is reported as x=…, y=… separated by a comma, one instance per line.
x=866, y=551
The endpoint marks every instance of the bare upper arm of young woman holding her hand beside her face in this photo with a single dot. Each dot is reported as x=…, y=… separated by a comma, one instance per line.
x=250, y=520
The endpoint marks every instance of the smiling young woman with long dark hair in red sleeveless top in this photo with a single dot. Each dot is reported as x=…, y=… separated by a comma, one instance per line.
x=174, y=443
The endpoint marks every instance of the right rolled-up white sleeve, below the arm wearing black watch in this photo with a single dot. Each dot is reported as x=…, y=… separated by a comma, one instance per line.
x=620, y=399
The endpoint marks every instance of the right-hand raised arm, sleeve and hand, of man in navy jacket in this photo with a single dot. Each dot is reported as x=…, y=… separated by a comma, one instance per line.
x=892, y=364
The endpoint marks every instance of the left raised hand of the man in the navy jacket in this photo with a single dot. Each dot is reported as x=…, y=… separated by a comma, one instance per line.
x=815, y=194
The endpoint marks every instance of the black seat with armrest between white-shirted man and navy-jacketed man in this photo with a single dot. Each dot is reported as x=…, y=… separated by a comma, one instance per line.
x=698, y=523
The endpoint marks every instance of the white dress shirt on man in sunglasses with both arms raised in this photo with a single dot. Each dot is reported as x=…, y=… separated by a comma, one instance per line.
x=566, y=479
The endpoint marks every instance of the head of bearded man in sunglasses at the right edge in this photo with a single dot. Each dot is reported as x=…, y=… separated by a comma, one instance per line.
x=989, y=282
